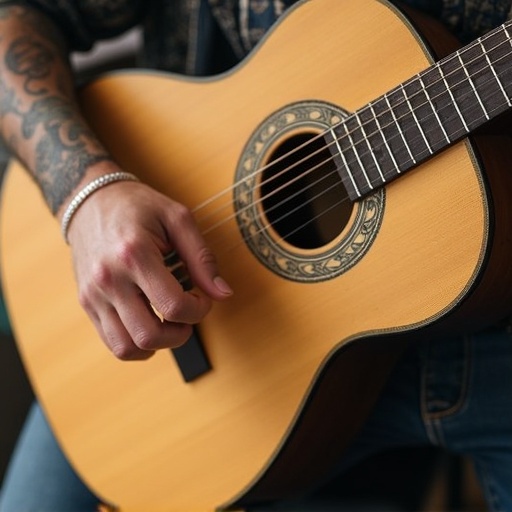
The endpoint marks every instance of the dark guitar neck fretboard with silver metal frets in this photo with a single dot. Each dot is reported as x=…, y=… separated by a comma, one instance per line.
x=425, y=114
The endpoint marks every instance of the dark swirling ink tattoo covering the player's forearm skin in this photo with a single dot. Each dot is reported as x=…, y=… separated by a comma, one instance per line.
x=62, y=147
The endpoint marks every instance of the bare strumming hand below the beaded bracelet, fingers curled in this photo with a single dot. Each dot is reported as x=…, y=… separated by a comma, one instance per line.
x=119, y=237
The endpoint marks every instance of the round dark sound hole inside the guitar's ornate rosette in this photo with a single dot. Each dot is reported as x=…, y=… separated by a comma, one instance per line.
x=302, y=193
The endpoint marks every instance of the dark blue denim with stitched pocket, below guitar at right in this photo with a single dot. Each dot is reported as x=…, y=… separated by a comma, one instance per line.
x=456, y=394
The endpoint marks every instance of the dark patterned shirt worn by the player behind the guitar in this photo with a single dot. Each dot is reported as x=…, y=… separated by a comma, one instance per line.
x=180, y=35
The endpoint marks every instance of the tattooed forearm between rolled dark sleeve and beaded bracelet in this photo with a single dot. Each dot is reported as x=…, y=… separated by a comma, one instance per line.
x=39, y=115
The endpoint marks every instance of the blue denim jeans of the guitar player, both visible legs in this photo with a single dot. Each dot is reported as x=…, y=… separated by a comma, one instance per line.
x=453, y=393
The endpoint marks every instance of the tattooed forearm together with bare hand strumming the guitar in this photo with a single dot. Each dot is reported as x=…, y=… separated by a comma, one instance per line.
x=121, y=233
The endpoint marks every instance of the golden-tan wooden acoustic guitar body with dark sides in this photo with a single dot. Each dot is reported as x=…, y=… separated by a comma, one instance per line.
x=299, y=354
